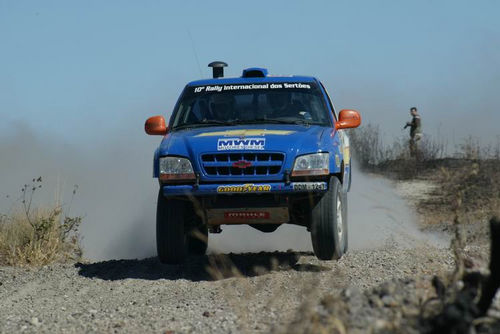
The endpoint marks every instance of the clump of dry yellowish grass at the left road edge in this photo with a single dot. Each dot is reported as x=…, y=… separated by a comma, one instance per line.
x=35, y=236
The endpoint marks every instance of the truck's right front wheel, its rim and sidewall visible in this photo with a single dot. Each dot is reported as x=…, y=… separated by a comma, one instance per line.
x=329, y=223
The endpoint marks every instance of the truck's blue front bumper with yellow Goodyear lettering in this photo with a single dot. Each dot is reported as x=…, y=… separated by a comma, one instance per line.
x=244, y=188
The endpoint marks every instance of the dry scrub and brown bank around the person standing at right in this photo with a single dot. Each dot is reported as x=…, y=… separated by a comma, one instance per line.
x=471, y=175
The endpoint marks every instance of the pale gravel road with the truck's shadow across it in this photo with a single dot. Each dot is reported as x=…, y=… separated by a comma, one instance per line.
x=251, y=292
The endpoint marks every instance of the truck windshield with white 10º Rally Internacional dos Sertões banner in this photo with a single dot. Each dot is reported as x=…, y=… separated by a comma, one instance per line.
x=286, y=103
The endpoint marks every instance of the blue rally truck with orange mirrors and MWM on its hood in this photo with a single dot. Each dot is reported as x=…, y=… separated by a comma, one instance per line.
x=259, y=150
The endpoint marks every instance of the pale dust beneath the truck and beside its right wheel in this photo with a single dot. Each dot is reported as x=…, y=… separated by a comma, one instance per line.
x=378, y=216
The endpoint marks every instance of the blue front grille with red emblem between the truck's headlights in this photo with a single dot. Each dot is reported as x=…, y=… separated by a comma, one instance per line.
x=242, y=164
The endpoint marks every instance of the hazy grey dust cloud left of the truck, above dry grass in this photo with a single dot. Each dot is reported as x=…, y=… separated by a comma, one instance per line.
x=116, y=194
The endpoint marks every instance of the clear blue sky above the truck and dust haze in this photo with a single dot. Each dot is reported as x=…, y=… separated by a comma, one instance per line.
x=82, y=69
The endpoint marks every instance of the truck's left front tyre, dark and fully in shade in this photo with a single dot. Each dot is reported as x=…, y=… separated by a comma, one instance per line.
x=171, y=241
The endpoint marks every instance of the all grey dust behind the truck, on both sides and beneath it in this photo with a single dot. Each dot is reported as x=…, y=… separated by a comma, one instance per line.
x=116, y=196
